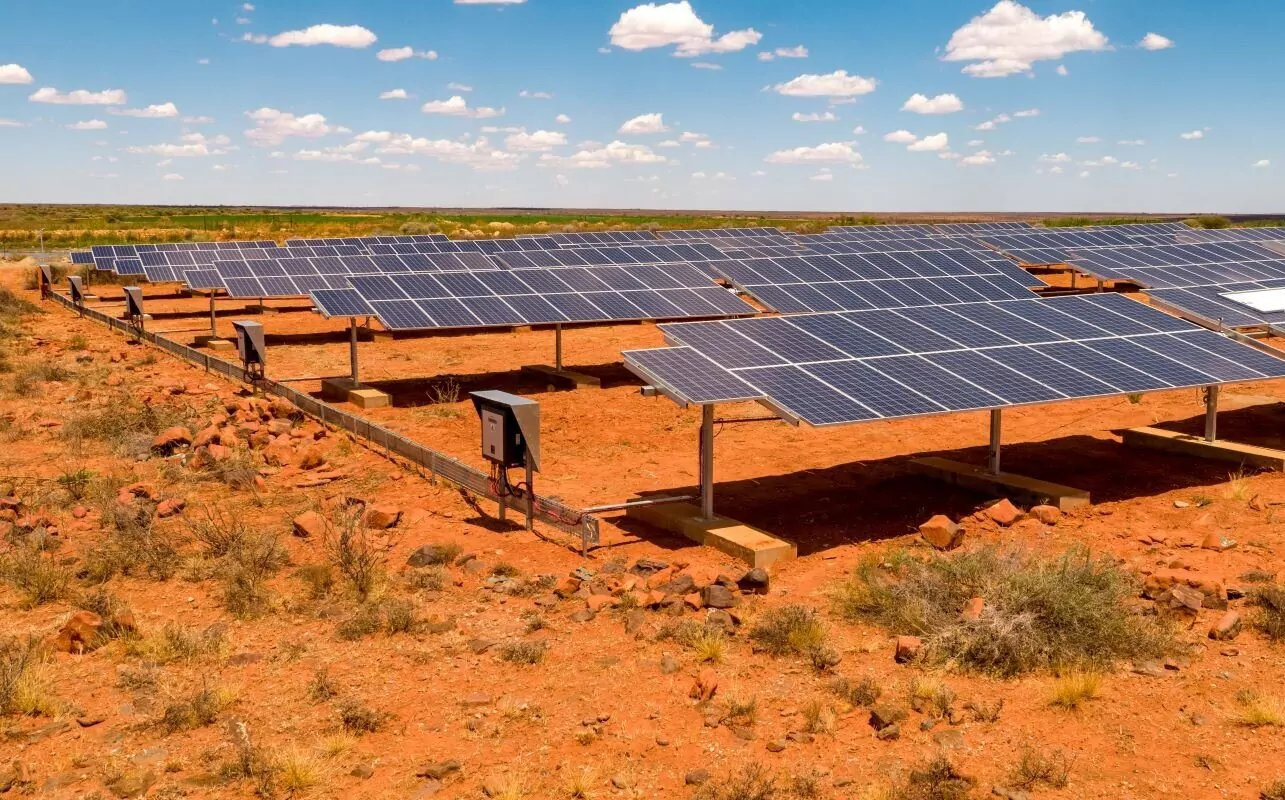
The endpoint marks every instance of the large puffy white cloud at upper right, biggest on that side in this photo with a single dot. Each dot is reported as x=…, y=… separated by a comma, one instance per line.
x=1009, y=39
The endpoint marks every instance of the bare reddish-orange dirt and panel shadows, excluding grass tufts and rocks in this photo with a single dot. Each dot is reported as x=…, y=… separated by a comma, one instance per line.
x=842, y=495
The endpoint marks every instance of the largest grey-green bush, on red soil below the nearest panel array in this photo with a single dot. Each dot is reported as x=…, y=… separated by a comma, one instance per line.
x=1071, y=611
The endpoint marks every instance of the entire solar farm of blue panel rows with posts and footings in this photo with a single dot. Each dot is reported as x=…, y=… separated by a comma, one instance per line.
x=853, y=327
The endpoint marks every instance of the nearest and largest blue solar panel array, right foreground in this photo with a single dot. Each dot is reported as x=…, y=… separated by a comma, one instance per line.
x=845, y=368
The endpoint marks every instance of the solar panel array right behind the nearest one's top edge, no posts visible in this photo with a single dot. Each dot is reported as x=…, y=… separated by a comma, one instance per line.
x=876, y=281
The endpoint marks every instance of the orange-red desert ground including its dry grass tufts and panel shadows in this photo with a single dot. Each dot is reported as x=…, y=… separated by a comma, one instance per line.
x=213, y=684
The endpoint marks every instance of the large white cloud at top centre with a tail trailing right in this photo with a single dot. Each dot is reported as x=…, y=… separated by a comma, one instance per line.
x=661, y=25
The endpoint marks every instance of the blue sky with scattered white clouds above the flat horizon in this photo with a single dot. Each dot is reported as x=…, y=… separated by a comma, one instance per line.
x=1130, y=106
